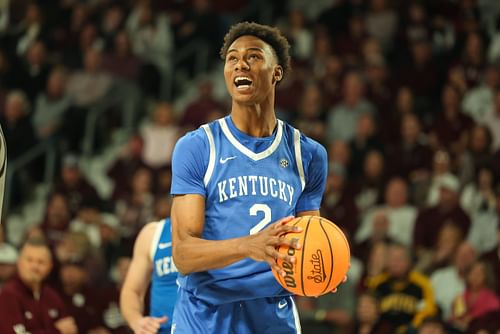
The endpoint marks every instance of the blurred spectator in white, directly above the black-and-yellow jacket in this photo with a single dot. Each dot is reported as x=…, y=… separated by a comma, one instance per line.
x=399, y=217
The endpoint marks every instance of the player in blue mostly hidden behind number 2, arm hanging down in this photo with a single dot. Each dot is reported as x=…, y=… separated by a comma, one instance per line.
x=152, y=261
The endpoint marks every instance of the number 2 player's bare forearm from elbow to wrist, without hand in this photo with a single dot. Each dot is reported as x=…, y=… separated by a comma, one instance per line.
x=194, y=254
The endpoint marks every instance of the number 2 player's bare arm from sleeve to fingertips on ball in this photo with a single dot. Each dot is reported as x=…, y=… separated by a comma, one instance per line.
x=193, y=254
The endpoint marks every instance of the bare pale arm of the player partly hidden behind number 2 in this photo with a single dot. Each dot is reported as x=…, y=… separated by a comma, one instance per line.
x=136, y=285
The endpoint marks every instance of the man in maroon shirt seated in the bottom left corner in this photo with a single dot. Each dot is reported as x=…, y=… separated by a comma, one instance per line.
x=27, y=293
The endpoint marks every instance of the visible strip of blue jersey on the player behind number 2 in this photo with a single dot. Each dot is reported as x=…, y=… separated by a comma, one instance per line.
x=163, y=281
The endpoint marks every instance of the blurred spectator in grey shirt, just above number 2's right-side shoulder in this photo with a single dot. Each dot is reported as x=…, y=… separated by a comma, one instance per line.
x=342, y=118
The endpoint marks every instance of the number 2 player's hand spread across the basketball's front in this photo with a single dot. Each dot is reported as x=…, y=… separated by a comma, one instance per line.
x=262, y=246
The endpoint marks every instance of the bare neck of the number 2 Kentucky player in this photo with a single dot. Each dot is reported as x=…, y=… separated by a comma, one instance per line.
x=254, y=120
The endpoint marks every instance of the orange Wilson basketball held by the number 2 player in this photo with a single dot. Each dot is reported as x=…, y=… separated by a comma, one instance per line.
x=322, y=262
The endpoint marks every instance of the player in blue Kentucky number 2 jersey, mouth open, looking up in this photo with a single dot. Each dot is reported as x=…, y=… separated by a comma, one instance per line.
x=236, y=181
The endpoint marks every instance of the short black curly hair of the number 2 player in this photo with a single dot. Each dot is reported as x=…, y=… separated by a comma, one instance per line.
x=271, y=35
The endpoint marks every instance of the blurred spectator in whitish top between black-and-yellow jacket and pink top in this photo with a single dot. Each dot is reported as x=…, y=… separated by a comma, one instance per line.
x=448, y=282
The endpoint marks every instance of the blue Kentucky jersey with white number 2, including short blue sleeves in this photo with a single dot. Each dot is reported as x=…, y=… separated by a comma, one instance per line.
x=247, y=183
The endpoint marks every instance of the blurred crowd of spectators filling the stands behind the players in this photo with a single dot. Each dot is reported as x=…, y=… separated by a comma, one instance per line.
x=405, y=96
